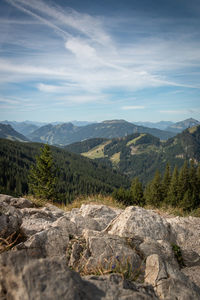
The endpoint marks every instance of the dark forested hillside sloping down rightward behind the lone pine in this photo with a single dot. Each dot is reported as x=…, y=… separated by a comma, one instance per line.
x=76, y=175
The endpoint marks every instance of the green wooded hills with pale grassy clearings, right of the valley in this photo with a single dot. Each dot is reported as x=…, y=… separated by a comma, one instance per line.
x=140, y=154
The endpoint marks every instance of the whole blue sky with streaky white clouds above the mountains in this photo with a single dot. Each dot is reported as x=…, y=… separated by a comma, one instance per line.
x=95, y=60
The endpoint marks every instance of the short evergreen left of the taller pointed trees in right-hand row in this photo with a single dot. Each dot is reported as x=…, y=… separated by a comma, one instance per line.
x=137, y=194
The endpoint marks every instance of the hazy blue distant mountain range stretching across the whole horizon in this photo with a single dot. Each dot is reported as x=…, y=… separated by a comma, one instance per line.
x=62, y=134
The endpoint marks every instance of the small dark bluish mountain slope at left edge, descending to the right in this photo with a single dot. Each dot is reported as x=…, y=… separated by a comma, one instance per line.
x=7, y=132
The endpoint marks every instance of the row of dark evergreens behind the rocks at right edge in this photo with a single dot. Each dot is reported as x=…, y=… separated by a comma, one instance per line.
x=176, y=188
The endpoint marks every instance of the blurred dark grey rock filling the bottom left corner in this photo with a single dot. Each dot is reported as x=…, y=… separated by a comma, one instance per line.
x=30, y=279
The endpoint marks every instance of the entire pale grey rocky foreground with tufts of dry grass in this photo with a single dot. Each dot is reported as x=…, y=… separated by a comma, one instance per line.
x=116, y=254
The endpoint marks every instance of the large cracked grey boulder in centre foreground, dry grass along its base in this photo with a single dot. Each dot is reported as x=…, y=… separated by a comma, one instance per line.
x=100, y=251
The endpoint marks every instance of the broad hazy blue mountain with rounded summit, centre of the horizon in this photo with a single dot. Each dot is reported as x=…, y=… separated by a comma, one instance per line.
x=67, y=133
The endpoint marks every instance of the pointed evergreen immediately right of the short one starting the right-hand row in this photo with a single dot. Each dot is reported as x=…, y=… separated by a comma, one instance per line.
x=153, y=192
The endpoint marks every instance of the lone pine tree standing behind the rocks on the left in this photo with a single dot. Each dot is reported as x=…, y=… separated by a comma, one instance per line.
x=41, y=178
